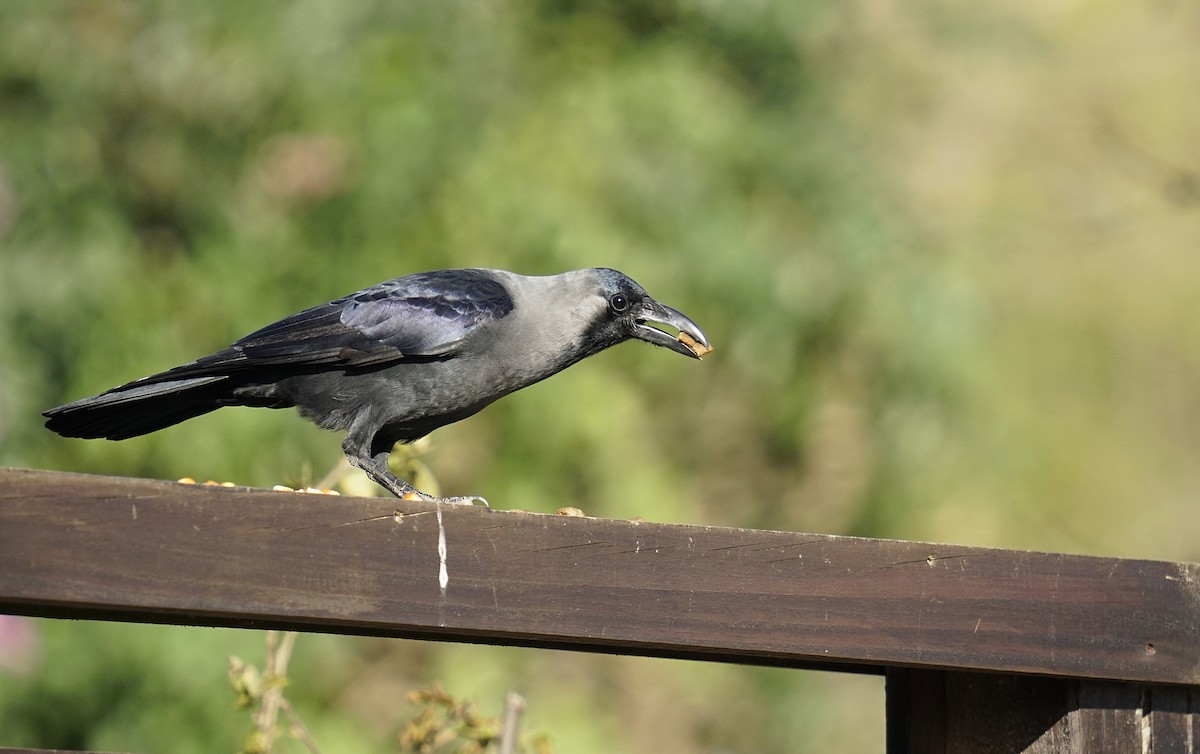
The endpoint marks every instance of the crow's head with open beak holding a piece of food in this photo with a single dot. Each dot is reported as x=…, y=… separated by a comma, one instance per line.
x=629, y=312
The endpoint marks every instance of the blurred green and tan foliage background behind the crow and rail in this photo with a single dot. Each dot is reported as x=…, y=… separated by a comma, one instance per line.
x=949, y=254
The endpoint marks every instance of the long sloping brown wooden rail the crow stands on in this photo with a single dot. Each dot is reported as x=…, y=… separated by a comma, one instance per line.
x=76, y=546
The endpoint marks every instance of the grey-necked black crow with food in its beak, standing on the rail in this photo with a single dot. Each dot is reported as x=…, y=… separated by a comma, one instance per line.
x=394, y=362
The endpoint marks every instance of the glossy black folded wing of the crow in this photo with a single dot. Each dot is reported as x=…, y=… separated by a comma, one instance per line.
x=424, y=315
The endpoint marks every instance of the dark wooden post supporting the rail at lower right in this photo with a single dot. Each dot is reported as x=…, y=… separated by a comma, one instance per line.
x=951, y=713
